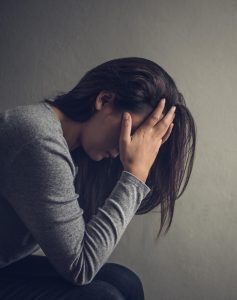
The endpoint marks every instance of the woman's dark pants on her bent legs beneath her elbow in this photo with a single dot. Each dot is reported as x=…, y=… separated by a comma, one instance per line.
x=33, y=277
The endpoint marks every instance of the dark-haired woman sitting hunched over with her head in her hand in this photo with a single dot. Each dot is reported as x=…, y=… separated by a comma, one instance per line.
x=74, y=172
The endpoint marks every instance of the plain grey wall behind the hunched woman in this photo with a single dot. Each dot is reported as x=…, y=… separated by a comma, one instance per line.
x=46, y=46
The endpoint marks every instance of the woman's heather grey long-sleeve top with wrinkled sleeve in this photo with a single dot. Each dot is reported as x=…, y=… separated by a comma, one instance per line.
x=39, y=207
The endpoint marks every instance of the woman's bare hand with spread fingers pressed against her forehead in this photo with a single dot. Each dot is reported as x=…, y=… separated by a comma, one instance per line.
x=138, y=152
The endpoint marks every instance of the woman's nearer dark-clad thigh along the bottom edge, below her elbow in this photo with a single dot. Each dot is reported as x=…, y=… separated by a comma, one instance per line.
x=33, y=289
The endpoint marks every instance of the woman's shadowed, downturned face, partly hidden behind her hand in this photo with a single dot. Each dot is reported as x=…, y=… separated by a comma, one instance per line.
x=101, y=133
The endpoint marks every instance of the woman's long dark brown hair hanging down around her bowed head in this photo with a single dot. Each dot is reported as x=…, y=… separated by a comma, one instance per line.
x=135, y=82
